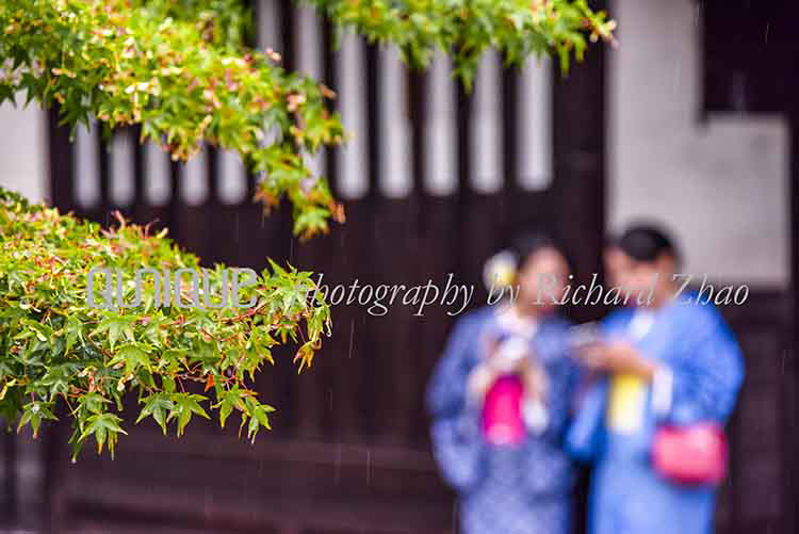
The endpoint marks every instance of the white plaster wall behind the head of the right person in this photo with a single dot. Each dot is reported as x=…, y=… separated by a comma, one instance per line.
x=722, y=185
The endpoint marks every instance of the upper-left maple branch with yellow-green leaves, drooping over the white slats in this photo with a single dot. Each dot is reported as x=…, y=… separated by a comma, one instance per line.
x=185, y=77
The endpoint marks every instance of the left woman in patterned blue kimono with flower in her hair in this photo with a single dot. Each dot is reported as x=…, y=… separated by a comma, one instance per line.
x=511, y=478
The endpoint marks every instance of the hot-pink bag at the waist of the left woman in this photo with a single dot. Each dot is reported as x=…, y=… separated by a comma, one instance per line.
x=502, y=420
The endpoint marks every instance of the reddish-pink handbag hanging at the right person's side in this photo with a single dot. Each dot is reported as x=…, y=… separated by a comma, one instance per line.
x=691, y=455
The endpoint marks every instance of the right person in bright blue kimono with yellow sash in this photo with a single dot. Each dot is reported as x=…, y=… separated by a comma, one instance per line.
x=664, y=359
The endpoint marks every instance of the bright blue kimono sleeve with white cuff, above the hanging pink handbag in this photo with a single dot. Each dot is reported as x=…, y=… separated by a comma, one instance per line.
x=701, y=382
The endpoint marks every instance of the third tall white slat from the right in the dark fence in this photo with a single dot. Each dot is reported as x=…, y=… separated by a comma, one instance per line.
x=440, y=147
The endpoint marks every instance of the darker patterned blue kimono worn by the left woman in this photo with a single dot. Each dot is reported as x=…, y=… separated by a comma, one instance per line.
x=503, y=489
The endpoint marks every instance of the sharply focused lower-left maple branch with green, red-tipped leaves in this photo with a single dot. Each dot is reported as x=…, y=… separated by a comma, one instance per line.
x=182, y=361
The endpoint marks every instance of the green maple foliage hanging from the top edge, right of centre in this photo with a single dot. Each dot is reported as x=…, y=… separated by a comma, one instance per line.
x=465, y=29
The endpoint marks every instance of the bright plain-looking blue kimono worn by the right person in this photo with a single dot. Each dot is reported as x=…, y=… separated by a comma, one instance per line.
x=701, y=358
